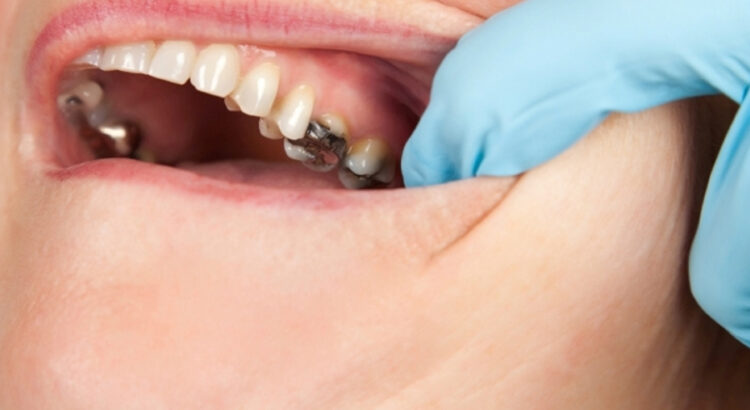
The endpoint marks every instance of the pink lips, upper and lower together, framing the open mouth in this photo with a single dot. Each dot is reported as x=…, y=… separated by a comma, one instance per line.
x=267, y=23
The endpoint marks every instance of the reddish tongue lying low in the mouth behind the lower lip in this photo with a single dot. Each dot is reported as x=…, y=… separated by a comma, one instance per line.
x=266, y=174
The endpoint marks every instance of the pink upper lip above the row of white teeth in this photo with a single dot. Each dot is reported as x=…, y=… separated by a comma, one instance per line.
x=310, y=24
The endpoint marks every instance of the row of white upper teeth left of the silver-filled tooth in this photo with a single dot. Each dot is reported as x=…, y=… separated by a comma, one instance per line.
x=215, y=70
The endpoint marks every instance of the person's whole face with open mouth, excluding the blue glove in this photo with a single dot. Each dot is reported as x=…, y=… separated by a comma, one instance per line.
x=165, y=244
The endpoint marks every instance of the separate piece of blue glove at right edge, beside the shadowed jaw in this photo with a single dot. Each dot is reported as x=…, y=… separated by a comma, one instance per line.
x=720, y=256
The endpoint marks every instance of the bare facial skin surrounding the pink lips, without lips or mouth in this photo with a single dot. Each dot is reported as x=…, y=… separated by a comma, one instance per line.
x=563, y=288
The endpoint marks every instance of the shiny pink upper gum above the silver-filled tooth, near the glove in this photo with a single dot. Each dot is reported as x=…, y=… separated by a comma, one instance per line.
x=368, y=93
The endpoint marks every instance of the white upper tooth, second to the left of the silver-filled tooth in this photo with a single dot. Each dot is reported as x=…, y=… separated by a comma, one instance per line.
x=257, y=91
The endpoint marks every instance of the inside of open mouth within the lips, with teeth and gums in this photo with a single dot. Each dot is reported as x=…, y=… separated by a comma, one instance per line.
x=302, y=119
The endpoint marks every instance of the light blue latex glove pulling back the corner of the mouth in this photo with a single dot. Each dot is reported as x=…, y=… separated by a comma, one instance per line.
x=532, y=80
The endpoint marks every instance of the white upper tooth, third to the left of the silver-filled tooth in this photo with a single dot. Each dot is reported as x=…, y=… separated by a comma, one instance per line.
x=217, y=70
